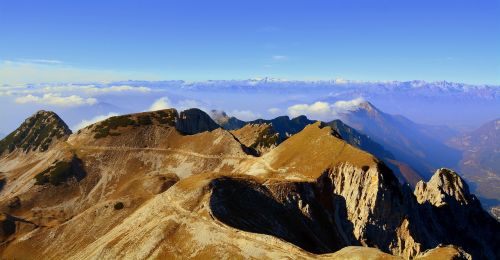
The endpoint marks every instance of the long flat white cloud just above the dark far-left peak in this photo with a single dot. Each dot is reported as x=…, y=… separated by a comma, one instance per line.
x=56, y=100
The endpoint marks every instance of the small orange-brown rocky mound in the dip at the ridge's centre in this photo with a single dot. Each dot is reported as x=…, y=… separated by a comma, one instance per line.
x=260, y=137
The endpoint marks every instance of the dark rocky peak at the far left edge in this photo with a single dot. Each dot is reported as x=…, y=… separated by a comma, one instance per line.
x=36, y=133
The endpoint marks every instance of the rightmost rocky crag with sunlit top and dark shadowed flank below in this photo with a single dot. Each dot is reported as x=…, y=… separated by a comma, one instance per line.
x=454, y=216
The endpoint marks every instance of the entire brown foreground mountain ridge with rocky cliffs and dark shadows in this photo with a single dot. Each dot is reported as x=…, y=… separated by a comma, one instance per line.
x=169, y=184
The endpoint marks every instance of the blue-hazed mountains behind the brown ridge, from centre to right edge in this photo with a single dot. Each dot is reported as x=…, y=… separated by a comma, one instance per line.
x=413, y=151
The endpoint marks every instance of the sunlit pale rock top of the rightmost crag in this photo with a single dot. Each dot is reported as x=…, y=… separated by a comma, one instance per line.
x=445, y=187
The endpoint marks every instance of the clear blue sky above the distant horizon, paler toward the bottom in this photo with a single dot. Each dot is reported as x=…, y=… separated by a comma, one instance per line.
x=452, y=40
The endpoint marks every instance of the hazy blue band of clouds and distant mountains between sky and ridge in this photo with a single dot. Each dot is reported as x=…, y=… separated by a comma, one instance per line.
x=465, y=107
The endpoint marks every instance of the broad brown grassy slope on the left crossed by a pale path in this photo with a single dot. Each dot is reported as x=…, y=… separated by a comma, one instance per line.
x=128, y=165
